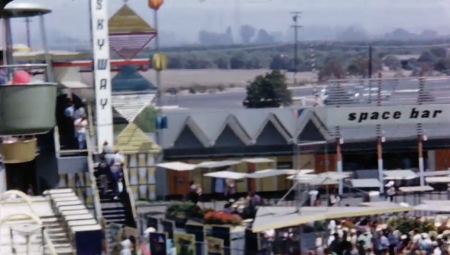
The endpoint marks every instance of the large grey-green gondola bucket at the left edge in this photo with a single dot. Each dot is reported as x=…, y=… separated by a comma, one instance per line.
x=27, y=109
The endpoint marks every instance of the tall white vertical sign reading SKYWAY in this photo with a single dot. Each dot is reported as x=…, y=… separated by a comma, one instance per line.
x=102, y=73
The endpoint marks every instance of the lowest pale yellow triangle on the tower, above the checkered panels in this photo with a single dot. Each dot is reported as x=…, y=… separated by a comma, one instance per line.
x=133, y=140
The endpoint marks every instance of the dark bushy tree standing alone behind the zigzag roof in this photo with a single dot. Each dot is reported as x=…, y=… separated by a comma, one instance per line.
x=268, y=91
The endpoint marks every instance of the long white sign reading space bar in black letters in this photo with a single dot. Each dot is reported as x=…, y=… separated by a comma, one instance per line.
x=387, y=115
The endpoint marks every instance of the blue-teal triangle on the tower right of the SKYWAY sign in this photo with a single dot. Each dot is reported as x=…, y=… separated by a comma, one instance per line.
x=130, y=80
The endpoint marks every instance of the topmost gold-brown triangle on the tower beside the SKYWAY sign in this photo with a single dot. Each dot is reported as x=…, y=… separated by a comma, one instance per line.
x=126, y=20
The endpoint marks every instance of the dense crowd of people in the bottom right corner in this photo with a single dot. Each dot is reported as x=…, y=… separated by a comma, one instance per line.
x=368, y=237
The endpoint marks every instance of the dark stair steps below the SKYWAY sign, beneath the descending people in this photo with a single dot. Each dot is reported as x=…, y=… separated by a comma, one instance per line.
x=113, y=210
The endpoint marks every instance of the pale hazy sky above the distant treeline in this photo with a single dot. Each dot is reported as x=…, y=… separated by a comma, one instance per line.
x=186, y=17
